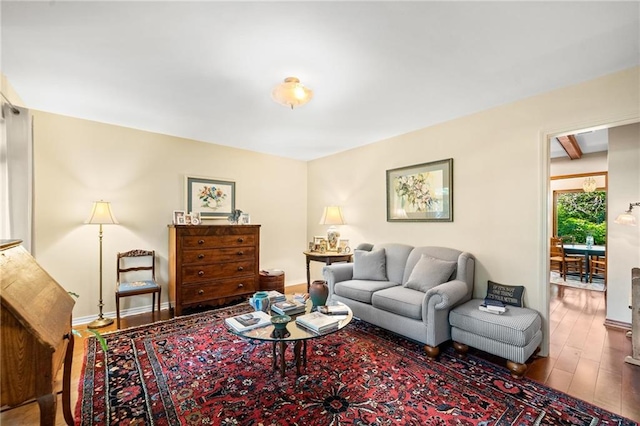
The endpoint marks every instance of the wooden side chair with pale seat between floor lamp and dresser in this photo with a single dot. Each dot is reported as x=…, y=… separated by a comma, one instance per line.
x=131, y=262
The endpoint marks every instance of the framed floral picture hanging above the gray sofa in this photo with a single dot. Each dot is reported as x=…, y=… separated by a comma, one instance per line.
x=423, y=192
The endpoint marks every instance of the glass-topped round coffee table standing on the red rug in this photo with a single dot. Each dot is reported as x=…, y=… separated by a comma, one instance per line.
x=293, y=334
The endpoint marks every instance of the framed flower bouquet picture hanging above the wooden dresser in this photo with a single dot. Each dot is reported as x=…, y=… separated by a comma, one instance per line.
x=212, y=198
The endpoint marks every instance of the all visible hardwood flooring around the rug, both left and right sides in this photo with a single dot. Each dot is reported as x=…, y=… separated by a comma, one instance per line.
x=586, y=359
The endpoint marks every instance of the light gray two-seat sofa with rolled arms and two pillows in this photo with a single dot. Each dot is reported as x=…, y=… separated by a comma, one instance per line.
x=415, y=304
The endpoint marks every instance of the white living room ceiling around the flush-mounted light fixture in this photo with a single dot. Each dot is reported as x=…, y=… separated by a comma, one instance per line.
x=205, y=70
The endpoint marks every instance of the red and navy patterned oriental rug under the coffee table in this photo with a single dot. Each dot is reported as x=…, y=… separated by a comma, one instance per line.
x=192, y=371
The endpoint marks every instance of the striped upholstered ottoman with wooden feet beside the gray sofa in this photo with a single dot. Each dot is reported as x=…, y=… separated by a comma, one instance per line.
x=514, y=335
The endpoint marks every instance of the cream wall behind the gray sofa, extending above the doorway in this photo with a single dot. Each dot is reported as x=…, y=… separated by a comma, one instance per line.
x=500, y=160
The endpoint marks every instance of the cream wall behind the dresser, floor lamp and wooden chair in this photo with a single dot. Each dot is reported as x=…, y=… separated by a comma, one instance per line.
x=142, y=175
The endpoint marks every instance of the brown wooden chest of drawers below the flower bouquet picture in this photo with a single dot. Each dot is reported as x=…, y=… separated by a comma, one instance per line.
x=210, y=265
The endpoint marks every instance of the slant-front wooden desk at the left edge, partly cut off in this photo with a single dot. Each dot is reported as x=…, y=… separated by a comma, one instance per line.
x=35, y=334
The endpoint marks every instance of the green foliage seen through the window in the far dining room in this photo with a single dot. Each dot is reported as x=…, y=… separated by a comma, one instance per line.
x=580, y=214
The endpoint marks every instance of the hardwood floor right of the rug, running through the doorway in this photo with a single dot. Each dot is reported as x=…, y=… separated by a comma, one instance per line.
x=586, y=359
